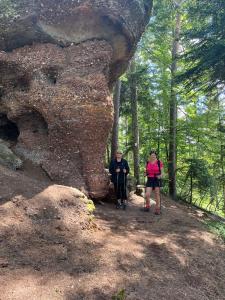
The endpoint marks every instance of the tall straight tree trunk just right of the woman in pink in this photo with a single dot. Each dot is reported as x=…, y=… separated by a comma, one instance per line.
x=173, y=112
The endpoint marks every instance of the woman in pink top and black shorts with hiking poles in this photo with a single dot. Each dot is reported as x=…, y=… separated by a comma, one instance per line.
x=154, y=174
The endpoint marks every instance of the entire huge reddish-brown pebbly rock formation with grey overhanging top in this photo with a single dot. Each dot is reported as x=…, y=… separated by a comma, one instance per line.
x=58, y=62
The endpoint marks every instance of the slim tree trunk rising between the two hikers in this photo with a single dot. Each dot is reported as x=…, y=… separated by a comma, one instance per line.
x=135, y=129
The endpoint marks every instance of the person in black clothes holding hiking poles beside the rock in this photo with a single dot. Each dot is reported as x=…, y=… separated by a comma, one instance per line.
x=119, y=169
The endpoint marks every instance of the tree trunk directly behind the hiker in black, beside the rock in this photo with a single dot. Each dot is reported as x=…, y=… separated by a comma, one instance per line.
x=115, y=129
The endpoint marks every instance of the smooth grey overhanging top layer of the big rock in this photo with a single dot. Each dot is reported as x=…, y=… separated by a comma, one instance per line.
x=66, y=22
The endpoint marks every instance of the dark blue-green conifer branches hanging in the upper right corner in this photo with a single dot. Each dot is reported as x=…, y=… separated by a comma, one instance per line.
x=205, y=49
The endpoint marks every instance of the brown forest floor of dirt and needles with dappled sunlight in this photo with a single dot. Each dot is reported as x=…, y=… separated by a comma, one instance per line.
x=51, y=248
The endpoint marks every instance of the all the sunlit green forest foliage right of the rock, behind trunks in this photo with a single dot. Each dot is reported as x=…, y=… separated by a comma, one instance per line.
x=201, y=115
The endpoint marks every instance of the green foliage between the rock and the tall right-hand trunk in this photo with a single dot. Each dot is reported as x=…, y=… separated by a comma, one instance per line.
x=153, y=78
